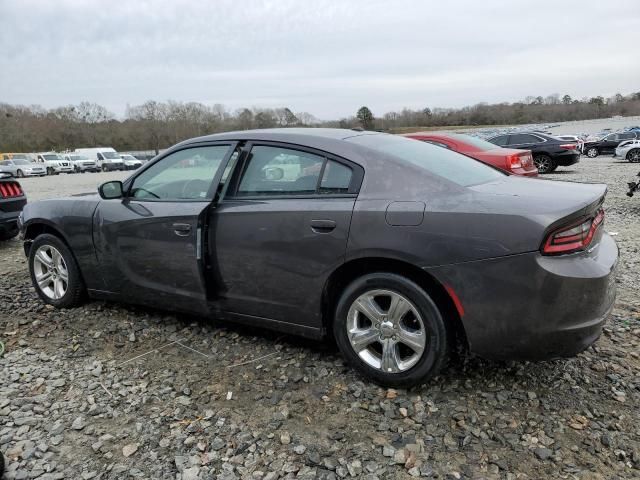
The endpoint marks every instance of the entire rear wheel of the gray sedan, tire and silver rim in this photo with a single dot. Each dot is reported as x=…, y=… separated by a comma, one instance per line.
x=390, y=330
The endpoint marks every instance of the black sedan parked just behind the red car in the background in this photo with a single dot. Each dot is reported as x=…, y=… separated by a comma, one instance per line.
x=548, y=152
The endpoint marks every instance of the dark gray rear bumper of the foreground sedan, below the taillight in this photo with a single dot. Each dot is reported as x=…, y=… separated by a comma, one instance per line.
x=535, y=307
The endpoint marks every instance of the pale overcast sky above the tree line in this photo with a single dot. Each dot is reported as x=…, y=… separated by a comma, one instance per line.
x=325, y=57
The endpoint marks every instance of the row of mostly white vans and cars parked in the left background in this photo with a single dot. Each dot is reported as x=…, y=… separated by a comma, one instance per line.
x=79, y=161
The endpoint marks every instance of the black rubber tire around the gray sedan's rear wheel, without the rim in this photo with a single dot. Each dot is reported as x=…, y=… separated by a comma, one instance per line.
x=436, y=350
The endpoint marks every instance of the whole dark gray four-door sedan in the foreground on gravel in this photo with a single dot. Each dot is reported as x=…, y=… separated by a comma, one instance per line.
x=397, y=248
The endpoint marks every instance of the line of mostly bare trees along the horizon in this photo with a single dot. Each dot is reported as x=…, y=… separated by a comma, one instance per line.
x=156, y=125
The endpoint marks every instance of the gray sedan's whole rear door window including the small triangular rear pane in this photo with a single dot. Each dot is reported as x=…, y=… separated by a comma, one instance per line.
x=277, y=171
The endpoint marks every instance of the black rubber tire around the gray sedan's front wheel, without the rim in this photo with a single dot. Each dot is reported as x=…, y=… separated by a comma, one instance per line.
x=75, y=291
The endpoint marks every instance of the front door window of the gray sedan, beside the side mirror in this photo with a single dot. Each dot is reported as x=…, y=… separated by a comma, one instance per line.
x=183, y=175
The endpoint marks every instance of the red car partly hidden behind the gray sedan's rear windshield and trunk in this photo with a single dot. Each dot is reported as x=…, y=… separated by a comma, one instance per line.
x=518, y=162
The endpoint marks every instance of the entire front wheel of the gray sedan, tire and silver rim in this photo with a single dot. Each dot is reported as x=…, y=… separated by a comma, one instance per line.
x=54, y=272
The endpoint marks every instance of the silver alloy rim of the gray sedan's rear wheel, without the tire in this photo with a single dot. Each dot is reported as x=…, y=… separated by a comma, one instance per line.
x=386, y=331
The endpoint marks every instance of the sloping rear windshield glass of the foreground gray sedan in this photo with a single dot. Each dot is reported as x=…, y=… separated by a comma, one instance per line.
x=439, y=161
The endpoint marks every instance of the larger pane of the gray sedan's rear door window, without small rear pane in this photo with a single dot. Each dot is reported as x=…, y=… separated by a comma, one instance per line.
x=280, y=171
